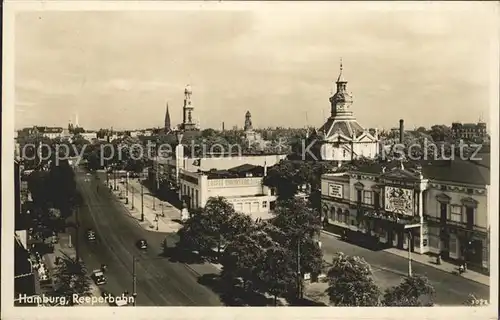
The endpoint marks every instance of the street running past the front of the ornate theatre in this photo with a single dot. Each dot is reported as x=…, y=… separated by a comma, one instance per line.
x=388, y=270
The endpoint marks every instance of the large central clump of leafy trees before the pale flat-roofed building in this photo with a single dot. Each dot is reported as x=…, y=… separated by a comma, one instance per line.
x=262, y=256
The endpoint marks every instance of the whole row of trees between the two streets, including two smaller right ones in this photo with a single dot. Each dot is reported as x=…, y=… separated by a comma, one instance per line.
x=273, y=256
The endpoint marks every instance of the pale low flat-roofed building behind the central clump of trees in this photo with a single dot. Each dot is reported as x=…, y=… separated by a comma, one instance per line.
x=242, y=186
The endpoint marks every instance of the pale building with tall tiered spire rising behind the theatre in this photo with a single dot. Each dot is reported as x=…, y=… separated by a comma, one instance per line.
x=342, y=137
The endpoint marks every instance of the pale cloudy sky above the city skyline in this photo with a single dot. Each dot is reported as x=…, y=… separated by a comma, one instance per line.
x=279, y=61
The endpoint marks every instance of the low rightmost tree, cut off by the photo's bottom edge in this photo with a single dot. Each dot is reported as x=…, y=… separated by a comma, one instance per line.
x=411, y=292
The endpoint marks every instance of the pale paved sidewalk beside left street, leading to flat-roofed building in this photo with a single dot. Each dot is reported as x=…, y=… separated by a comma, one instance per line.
x=164, y=224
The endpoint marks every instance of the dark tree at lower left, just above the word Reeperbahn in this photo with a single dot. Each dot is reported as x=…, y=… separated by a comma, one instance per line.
x=71, y=278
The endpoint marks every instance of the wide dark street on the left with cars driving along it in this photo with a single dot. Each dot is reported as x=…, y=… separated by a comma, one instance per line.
x=160, y=282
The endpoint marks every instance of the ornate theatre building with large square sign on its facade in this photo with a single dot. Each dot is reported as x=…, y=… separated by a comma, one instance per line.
x=433, y=207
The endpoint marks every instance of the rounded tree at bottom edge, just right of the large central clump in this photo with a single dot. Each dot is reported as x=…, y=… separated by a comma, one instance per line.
x=351, y=283
